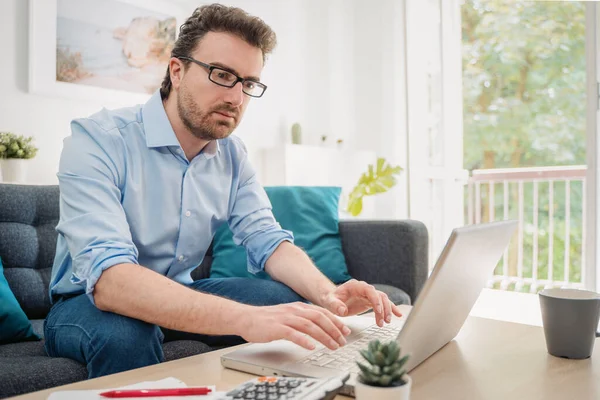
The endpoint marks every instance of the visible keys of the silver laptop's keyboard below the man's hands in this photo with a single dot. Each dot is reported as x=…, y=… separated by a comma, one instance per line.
x=345, y=357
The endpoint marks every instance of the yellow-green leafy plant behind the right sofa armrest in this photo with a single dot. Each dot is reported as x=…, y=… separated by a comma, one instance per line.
x=375, y=180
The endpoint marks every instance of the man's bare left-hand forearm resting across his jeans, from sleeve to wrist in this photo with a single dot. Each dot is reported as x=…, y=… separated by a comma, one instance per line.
x=137, y=292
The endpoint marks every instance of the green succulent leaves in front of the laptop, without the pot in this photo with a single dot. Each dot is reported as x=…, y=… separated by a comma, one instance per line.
x=386, y=368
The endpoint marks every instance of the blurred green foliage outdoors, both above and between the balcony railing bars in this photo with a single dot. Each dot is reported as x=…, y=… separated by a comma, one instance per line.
x=524, y=87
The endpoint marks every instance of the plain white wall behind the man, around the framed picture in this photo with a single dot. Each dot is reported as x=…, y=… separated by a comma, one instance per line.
x=338, y=70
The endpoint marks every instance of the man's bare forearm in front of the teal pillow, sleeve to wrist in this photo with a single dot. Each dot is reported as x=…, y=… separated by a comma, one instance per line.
x=290, y=265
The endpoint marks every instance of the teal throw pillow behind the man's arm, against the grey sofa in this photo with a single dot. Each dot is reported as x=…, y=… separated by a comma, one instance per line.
x=311, y=214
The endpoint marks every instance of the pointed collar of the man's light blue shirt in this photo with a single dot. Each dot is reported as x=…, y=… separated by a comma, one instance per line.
x=159, y=131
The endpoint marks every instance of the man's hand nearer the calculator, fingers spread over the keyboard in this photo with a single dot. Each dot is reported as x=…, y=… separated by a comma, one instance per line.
x=293, y=322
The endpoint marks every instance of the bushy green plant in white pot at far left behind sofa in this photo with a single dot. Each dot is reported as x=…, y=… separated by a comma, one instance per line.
x=14, y=153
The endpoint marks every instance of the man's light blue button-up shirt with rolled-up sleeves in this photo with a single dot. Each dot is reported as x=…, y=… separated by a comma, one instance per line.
x=129, y=195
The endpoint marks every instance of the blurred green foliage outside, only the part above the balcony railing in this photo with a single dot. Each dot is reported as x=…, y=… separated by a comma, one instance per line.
x=524, y=82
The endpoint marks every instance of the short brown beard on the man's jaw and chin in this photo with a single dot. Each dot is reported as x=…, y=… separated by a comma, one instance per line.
x=201, y=123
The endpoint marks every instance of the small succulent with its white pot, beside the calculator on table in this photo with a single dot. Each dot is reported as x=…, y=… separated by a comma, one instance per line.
x=385, y=377
